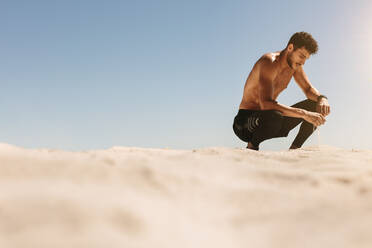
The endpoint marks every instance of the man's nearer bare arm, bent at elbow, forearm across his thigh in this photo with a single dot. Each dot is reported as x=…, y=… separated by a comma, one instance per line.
x=267, y=102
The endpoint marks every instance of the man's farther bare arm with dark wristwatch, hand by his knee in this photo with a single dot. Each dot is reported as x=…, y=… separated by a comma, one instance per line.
x=311, y=93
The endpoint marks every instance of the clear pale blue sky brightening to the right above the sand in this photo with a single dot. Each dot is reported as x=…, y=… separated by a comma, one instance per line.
x=81, y=75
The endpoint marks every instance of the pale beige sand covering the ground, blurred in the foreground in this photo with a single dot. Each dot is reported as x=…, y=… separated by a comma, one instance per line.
x=211, y=197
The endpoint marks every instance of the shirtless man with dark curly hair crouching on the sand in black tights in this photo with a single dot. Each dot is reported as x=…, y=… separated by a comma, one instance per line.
x=260, y=116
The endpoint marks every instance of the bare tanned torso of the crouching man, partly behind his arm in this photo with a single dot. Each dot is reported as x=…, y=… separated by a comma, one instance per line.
x=252, y=85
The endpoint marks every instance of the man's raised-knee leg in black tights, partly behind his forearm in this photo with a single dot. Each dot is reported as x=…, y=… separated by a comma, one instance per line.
x=306, y=128
